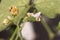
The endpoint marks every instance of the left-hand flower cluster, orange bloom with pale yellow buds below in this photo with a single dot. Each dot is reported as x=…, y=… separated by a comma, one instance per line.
x=14, y=12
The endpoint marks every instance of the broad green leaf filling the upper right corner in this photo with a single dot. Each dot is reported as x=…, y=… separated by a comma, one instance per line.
x=48, y=7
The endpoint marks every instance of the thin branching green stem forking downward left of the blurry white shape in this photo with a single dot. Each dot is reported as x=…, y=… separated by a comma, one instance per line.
x=13, y=35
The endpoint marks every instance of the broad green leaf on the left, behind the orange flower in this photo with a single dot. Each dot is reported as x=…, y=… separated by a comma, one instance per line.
x=4, y=9
